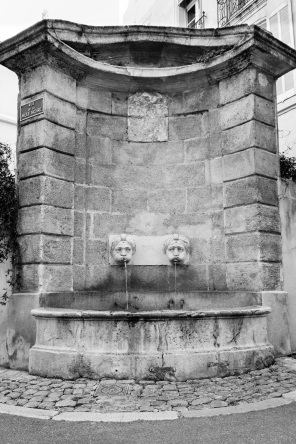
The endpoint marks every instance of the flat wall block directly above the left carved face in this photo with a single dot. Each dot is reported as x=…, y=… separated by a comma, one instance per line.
x=105, y=224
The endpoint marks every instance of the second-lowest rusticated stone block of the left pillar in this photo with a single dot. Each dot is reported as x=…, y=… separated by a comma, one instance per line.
x=41, y=248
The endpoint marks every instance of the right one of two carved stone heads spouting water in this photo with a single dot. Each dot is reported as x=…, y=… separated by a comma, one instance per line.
x=177, y=247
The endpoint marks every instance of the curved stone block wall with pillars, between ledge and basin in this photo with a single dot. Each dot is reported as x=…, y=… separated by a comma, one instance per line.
x=201, y=162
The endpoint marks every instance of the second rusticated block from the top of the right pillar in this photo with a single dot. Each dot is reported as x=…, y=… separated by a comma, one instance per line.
x=245, y=109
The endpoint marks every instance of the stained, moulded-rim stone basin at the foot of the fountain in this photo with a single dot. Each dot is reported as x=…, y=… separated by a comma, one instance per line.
x=156, y=344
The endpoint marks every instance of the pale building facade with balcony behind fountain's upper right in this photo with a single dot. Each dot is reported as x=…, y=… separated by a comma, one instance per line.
x=276, y=16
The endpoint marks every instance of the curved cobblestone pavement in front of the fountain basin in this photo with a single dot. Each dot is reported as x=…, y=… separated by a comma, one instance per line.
x=86, y=395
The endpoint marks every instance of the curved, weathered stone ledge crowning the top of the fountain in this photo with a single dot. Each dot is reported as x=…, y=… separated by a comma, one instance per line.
x=145, y=52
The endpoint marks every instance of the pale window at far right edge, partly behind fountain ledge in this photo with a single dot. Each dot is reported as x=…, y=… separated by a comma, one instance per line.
x=280, y=26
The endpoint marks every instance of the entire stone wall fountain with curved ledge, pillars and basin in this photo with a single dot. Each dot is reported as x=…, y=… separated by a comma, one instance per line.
x=149, y=223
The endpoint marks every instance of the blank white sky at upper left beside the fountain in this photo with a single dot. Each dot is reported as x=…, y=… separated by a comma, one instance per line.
x=17, y=15
